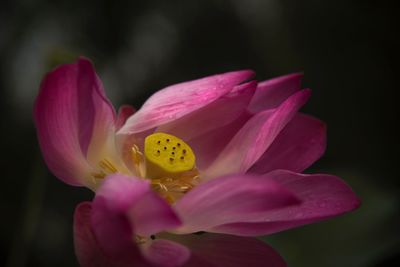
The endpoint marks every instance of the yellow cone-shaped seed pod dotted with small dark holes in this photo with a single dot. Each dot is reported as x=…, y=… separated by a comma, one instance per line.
x=167, y=155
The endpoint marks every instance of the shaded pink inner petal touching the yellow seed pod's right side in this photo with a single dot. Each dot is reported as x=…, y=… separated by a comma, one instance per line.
x=209, y=145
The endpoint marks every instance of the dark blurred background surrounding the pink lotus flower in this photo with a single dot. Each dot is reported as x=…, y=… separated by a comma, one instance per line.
x=345, y=48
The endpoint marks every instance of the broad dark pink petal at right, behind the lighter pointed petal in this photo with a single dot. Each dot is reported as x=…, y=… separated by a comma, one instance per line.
x=299, y=145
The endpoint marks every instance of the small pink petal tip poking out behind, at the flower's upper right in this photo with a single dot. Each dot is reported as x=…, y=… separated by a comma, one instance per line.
x=271, y=93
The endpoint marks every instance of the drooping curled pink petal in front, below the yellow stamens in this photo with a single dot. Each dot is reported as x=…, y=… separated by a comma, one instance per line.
x=119, y=215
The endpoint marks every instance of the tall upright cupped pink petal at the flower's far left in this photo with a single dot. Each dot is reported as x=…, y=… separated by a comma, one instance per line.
x=70, y=110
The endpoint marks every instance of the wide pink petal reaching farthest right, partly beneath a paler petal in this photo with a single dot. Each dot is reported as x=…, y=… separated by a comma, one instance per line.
x=323, y=196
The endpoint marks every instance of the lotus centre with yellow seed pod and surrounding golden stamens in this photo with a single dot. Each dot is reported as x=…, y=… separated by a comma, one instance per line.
x=168, y=162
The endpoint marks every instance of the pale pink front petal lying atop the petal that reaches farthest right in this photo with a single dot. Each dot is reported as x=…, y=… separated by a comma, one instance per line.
x=230, y=199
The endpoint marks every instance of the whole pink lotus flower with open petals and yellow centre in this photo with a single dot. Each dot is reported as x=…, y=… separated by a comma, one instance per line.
x=220, y=155
